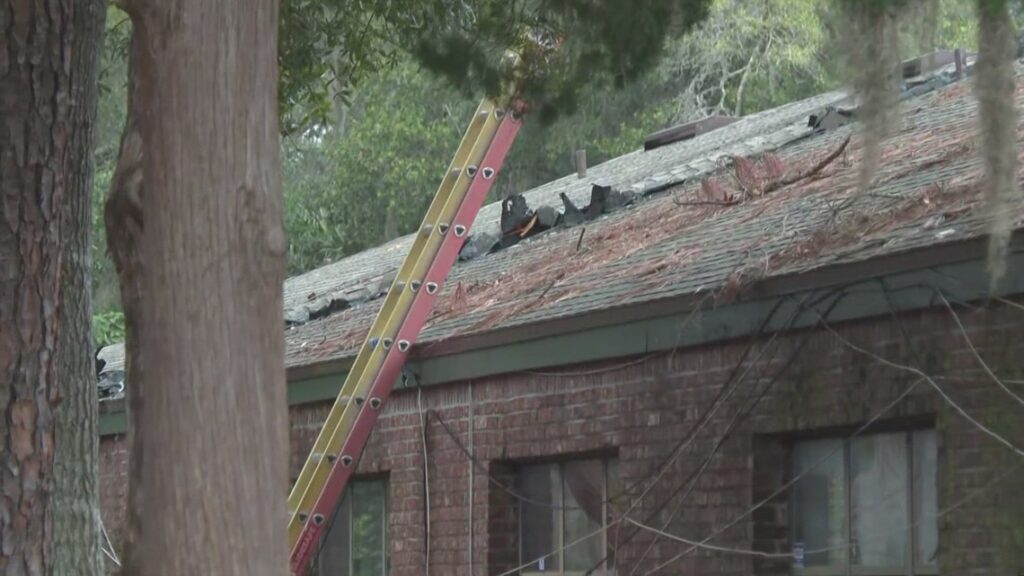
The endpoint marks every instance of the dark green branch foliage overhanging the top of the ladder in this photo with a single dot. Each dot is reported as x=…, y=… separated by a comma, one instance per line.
x=602, y=44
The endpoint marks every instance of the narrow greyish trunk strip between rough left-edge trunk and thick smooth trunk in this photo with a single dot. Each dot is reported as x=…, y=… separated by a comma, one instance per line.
x=76, y=544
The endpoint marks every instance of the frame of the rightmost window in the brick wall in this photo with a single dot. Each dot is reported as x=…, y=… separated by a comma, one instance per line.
x=911, y=567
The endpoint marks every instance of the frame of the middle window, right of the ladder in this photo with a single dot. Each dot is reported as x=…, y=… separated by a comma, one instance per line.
x=560, y=552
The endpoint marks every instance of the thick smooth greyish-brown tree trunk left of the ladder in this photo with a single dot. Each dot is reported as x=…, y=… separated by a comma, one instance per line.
x=209, y=498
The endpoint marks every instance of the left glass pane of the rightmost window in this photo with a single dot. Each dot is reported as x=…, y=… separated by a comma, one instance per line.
x=820, y=503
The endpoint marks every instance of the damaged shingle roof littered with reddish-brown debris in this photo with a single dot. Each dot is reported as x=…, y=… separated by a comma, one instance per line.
x=703, y=223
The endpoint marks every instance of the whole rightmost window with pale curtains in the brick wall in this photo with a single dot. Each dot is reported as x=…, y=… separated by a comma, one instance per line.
x=868, y=507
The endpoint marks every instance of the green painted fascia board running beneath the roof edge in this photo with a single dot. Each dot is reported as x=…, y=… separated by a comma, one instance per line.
x=904, y=293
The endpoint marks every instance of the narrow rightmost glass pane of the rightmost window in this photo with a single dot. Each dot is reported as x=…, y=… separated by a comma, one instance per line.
x=926, y=503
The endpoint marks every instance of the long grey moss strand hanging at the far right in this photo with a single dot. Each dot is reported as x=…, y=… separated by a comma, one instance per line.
x=996, y=86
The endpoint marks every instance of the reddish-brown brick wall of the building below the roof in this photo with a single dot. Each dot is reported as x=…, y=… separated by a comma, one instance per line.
x=807, y=384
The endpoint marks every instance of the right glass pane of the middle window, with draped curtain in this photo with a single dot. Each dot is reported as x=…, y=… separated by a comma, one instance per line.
x=584, y=496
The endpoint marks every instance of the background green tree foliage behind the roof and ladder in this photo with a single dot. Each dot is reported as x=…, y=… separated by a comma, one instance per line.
x=371, y=132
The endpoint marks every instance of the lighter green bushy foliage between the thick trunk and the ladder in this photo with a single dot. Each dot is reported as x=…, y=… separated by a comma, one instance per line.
x=387, y=159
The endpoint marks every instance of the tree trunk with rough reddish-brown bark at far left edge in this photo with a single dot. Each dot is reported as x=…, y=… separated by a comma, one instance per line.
x=48, y=105
